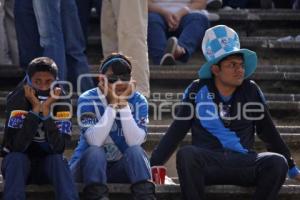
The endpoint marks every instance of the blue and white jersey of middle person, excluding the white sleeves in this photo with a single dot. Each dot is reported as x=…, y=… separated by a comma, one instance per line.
x=91, y=106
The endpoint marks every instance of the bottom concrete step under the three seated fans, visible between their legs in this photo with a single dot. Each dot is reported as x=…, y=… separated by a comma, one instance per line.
x=171, y=192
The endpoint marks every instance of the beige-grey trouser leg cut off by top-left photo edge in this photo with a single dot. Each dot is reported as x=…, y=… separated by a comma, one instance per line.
x=4, y=54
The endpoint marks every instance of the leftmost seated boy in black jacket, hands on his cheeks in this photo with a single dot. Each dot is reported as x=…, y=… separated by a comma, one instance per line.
x=35, y=134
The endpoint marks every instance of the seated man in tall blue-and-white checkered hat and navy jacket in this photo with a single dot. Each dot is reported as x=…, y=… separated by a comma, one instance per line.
x=224, y=109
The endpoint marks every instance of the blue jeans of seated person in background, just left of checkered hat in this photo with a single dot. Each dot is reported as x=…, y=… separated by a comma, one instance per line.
x=189, y=33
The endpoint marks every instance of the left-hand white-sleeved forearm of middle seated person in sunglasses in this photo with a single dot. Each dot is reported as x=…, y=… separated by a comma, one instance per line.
x=97, y=134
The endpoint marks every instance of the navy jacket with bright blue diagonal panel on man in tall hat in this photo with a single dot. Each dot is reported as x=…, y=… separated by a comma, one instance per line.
x=217, y=124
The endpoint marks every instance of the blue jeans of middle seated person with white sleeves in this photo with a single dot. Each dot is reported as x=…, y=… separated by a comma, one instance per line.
x=93, y=167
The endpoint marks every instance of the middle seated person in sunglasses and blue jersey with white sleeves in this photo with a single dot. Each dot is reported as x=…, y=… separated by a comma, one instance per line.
x=112, y=119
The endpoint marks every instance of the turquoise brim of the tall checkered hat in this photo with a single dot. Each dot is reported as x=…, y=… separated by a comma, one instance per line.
x=250, y=63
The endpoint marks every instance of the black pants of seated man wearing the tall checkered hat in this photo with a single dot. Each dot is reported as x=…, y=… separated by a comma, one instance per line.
x=198, y=167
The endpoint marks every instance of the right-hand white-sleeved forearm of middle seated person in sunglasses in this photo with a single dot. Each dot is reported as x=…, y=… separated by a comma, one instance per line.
x=134, y=135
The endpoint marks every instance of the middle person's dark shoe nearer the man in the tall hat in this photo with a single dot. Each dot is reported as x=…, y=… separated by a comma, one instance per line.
x=143, y=190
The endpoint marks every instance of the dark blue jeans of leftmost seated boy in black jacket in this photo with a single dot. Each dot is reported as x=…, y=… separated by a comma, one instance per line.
x=18, y=170
